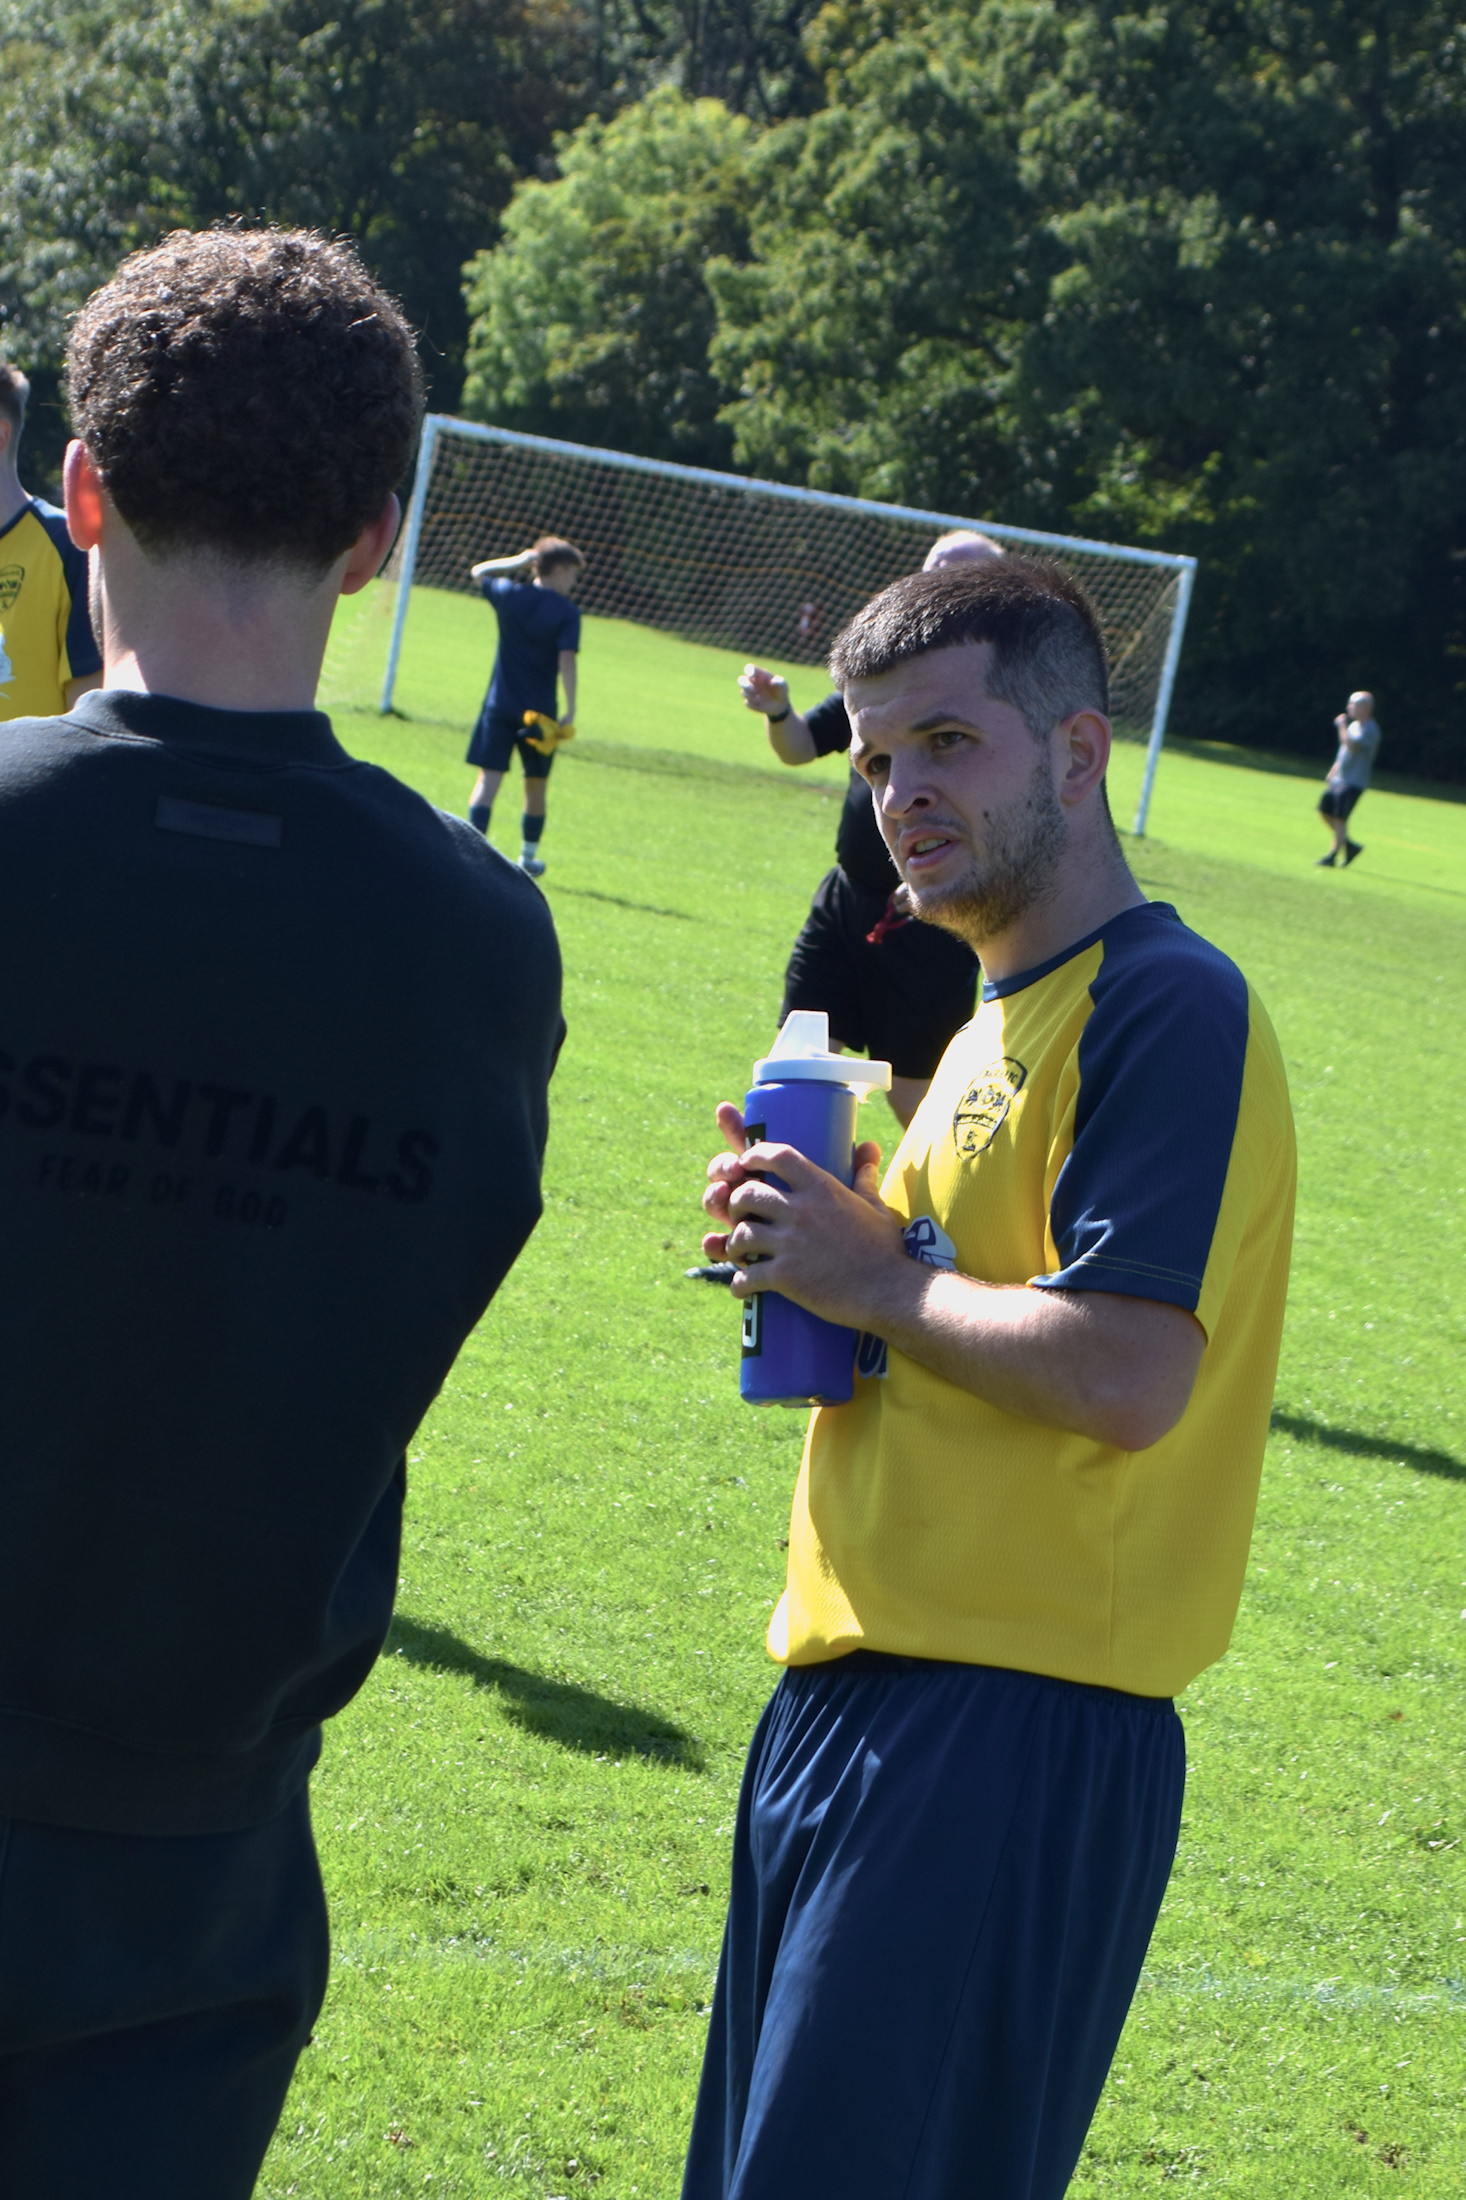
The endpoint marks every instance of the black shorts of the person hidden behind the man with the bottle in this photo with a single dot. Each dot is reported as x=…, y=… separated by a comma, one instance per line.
x=897, y=1002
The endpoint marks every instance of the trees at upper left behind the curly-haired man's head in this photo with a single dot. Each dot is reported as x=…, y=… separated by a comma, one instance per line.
x=400, y=122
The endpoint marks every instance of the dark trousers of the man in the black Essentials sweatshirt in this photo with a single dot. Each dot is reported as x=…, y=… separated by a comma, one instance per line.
x=155, y=1996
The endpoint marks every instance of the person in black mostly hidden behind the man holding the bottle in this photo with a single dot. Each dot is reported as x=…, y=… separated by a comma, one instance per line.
x=890, y=987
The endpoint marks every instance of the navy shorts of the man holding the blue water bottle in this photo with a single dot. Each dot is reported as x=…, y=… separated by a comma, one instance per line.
x=945, y=1880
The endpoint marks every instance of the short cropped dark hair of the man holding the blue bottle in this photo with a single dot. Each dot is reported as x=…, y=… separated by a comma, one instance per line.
x=1049, y=652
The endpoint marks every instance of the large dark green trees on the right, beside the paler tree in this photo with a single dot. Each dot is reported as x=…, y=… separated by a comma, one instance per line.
x=1190, y=276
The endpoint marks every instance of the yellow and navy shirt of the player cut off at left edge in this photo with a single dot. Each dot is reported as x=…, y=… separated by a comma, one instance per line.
x=45, y=626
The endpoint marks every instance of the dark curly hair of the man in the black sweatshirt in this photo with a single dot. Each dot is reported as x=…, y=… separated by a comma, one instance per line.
x=250, y=393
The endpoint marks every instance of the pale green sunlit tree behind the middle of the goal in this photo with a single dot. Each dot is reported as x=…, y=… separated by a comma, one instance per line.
x=593, y=320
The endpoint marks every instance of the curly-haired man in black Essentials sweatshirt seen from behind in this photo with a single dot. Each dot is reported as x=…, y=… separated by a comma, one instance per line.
x=274, y=1059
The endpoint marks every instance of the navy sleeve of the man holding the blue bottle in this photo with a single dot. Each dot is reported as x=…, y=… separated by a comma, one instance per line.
x=1161, y=1064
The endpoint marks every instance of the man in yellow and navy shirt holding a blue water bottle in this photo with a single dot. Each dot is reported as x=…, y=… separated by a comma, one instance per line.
x=1029, y=1528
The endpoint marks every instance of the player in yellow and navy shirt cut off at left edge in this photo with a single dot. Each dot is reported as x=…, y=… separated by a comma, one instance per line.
x=47, y=648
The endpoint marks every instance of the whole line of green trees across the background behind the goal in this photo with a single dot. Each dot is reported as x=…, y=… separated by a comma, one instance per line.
x=1188, y=276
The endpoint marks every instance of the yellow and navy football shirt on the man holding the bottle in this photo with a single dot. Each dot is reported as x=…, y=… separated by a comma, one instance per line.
x=1115, y=1121
